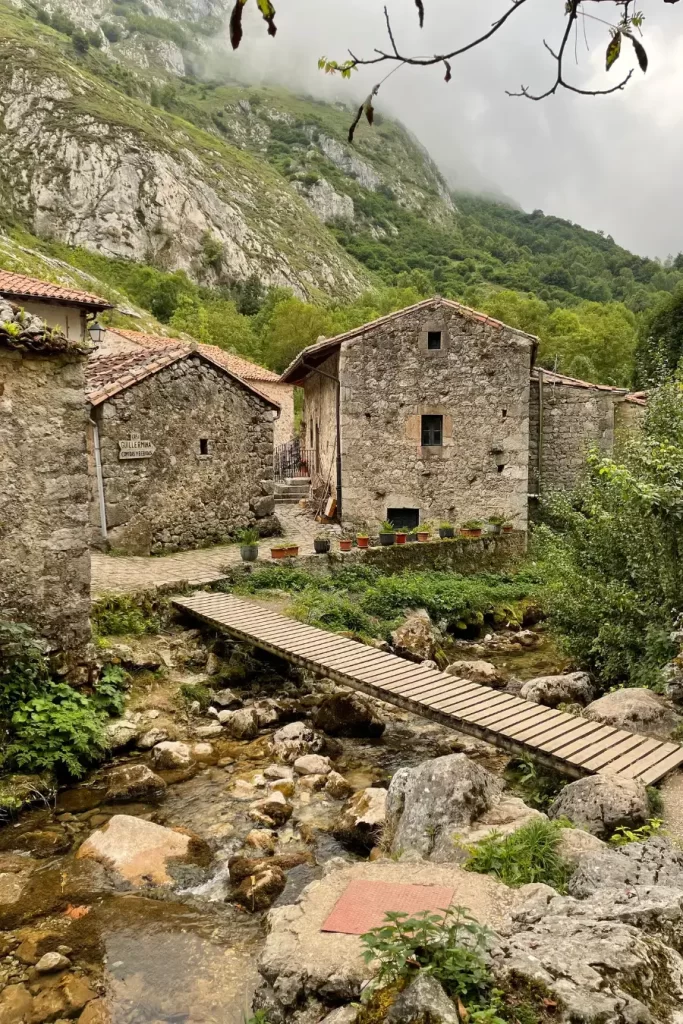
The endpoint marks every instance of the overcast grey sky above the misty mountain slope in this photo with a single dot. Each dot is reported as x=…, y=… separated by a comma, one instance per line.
x=613, y=162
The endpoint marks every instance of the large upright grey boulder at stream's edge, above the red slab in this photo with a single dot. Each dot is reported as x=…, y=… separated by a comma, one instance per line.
x=428, y=806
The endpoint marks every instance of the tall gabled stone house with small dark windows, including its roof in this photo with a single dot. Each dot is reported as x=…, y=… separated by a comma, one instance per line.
x=433, y=408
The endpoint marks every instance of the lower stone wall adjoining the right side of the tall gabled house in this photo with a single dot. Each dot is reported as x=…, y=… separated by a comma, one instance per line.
x=574, y=419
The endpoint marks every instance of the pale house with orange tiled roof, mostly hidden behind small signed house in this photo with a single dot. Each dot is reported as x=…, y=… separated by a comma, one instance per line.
x=269, y=383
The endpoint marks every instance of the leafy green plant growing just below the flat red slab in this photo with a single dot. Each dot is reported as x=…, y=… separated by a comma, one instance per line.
x=451, y=947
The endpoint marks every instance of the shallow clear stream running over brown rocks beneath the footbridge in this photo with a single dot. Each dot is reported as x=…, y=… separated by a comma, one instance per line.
x=187, y=955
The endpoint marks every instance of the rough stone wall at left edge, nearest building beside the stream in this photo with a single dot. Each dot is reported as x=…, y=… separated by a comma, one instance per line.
x=45, y=497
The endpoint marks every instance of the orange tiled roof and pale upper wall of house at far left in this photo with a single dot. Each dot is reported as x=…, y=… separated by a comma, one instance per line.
x=66, y=309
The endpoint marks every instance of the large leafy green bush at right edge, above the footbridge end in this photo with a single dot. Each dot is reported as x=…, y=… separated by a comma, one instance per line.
x=612, y=552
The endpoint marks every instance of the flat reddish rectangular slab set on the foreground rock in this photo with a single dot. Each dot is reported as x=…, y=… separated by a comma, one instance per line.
x=365, y=904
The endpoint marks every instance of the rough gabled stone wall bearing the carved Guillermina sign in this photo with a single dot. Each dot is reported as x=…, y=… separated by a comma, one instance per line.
x=182, y=498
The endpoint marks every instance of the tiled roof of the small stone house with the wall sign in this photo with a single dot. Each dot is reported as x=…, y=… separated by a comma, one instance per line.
x=109, y=375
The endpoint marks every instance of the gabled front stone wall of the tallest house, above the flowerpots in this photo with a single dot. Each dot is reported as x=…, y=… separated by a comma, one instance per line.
x=479, y=382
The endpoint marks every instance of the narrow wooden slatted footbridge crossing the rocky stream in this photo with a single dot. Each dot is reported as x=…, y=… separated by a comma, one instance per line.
x=566, y=743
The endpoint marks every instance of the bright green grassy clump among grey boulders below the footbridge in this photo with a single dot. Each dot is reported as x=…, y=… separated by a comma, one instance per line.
x=527, y=856
